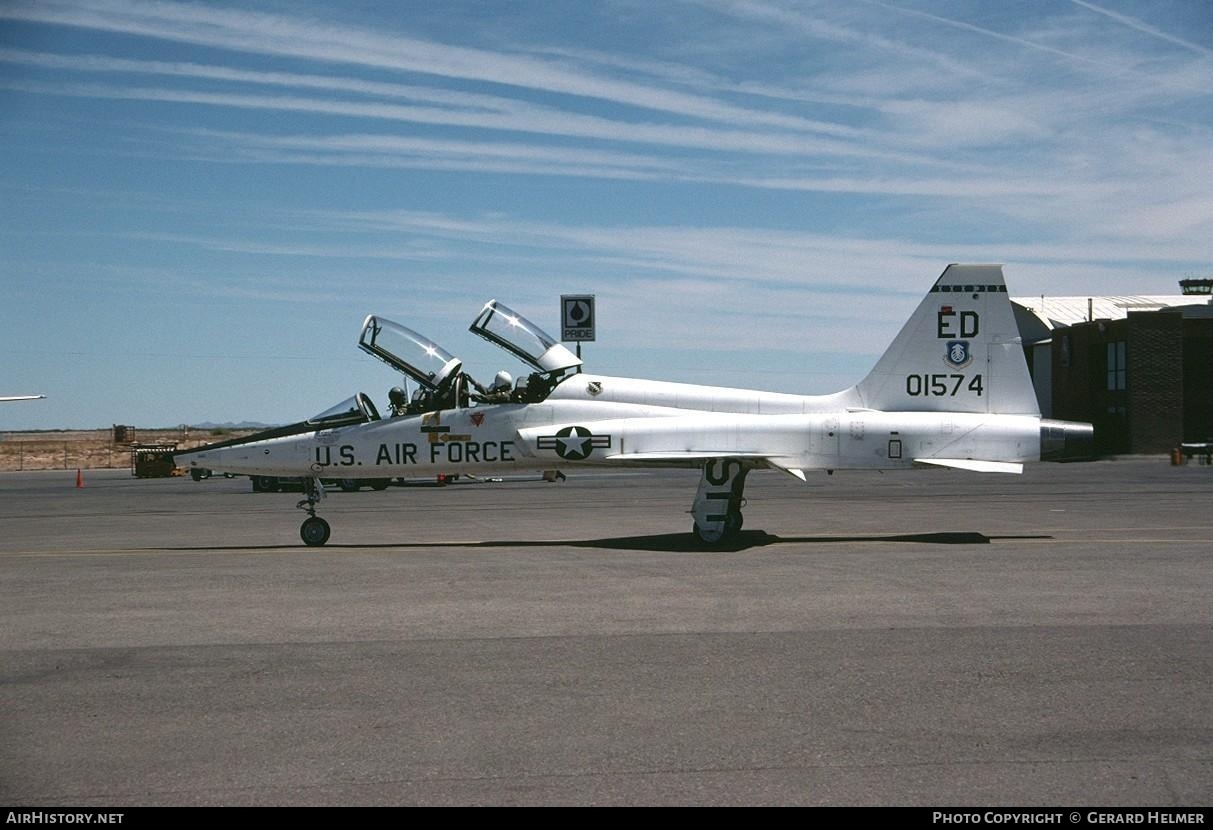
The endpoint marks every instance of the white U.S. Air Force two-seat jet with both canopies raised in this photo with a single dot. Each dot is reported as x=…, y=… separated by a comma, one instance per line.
x=952, y=391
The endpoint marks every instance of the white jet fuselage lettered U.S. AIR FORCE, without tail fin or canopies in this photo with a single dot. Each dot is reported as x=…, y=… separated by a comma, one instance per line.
x=503, y=439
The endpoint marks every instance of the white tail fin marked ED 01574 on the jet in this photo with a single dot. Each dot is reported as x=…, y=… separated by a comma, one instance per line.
x=960, y=353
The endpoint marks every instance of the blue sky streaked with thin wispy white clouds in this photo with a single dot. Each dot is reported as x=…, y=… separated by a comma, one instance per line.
x=200, y=203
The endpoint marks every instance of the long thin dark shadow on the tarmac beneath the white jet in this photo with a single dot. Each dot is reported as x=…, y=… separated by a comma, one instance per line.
x=669, y=543
